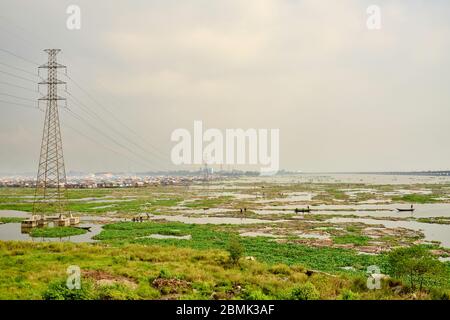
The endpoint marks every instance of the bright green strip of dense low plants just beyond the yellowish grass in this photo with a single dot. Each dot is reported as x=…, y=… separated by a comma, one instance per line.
x=215, y=237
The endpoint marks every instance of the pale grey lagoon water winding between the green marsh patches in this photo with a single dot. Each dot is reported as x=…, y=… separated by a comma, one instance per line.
x=369, y=212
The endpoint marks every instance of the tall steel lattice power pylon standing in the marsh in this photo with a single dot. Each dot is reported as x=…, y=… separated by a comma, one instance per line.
x=50, y=195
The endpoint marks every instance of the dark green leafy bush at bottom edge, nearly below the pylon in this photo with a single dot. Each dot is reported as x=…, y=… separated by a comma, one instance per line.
x=58, y=290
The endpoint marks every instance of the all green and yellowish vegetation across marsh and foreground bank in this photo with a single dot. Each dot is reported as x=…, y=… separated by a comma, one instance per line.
x=215, y=262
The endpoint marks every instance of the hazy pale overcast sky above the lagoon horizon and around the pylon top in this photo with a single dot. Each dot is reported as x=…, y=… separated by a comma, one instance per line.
x=344, y=97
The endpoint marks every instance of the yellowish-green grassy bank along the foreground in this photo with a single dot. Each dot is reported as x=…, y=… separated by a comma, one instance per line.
x=38, y=271
